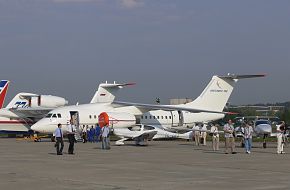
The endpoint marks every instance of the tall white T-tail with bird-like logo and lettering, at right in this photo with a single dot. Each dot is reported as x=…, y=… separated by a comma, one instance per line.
x=216, y=94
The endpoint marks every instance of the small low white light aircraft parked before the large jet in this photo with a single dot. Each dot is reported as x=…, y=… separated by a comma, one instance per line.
x=142, y=133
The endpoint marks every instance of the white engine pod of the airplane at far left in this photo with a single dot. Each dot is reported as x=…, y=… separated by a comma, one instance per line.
x=47, y=101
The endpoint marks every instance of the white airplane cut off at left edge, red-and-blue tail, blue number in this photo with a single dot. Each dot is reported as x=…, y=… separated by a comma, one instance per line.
x=24, y=110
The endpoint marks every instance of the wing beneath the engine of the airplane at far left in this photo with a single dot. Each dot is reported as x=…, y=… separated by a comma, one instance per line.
x=31, y=112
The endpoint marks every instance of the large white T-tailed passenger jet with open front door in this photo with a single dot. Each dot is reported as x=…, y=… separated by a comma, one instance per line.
x=207, y=107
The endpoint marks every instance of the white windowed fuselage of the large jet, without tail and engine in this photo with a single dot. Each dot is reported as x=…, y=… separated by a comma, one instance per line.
x=88, y=115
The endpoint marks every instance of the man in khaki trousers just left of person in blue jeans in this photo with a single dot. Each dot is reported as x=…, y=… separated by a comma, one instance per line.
x=229, y=137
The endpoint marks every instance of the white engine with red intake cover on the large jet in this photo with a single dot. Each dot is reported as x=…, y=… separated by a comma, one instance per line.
x=117, y=119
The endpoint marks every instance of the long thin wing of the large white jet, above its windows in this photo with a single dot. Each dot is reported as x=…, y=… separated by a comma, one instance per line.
x=149, y=107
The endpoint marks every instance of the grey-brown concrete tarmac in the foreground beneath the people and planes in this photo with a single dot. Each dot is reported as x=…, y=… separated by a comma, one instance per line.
x=27, y=165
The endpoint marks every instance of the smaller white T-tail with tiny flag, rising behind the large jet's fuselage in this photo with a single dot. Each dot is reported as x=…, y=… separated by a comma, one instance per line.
x=106, y=92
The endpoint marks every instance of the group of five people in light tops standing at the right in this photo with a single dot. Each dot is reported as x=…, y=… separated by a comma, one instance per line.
x=228, y=130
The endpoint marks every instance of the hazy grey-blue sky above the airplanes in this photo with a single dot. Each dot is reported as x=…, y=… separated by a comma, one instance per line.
x=169, y=48
